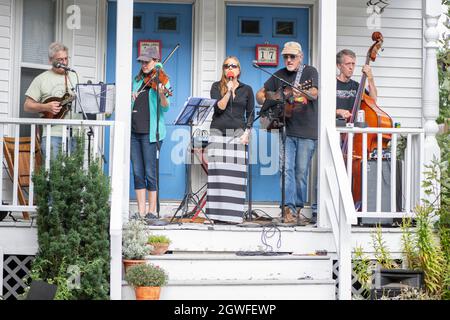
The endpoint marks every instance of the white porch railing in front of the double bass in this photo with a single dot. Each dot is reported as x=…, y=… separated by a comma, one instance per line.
x=411, y=166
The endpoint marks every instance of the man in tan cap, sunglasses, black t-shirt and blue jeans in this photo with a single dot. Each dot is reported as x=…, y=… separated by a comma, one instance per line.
x=301, y=126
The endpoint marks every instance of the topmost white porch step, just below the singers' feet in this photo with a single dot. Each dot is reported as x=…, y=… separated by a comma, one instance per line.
x=200, y=238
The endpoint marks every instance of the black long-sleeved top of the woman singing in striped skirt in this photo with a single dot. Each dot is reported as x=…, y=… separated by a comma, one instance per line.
x=239, y=113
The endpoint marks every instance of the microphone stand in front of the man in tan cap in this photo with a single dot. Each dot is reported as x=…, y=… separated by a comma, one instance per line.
x=283, y=138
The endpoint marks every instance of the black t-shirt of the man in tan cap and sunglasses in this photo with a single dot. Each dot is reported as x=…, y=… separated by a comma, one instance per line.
x=304, y=120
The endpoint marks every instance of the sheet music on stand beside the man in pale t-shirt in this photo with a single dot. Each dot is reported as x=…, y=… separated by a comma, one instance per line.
x=95, y=98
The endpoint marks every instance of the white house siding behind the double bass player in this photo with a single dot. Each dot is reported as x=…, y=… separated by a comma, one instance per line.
x=398, y=69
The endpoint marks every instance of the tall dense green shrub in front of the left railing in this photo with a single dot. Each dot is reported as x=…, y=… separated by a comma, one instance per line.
x=73, y=227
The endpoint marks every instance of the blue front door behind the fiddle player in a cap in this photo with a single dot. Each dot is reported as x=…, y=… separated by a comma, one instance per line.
x=171, y=24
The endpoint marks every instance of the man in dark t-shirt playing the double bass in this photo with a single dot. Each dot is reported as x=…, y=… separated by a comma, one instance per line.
x=347, y=88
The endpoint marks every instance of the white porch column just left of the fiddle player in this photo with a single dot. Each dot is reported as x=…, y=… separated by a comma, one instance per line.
x=121, y=160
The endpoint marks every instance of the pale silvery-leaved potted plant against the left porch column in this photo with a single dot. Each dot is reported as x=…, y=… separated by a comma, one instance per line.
x=134, y=243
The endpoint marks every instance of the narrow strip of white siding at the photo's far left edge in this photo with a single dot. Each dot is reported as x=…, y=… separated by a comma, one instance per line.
x=5, y=54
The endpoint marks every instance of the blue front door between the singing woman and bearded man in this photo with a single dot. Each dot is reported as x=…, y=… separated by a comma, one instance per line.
x=247, y=27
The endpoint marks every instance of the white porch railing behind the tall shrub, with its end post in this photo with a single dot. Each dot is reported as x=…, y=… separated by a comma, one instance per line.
x=116, y=163
